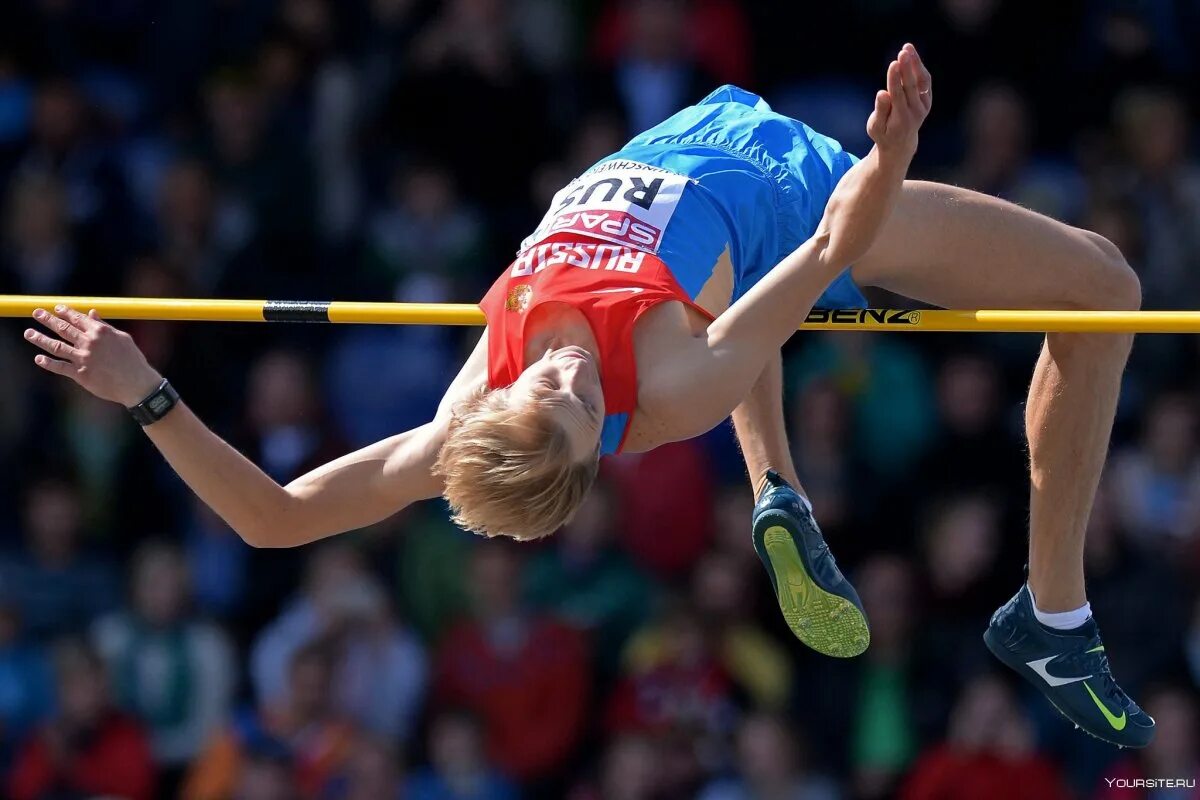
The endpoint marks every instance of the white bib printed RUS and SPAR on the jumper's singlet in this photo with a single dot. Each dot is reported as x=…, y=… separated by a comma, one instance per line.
x=621, y=202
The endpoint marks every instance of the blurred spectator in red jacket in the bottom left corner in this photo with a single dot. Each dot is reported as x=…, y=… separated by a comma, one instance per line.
x=88, y=749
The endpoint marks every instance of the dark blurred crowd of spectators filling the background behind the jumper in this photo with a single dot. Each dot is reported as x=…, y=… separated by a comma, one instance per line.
x=400, y=149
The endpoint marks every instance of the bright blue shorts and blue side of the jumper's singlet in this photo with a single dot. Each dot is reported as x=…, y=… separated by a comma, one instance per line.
x=760, y=183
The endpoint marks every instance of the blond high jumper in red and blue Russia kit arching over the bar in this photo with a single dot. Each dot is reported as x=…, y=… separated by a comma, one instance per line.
x=651, y=304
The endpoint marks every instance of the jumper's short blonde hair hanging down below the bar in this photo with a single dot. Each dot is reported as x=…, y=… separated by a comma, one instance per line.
x=509, y=470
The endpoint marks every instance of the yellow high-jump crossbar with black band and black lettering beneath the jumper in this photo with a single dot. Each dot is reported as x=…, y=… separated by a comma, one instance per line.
x=424, y=314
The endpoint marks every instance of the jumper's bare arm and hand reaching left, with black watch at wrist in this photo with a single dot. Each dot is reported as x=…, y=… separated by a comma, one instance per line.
x=351, y=492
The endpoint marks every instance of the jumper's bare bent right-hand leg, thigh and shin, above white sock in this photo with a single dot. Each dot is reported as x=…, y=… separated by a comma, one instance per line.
x=962, y=250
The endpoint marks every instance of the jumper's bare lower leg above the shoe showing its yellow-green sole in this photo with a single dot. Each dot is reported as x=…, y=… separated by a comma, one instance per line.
x=763, y=434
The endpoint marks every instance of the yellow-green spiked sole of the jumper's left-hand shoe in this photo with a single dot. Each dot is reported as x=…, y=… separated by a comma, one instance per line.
x=825, y=622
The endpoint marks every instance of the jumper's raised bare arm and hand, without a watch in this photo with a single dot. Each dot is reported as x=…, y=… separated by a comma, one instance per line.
x=737, y=345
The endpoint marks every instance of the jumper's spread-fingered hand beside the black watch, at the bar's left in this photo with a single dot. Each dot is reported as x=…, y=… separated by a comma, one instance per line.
x=94, y=354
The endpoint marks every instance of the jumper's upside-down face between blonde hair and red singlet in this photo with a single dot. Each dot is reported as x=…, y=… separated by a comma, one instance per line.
x=567, y=381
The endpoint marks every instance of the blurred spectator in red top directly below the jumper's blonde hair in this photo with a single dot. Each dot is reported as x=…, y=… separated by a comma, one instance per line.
x=524, y=675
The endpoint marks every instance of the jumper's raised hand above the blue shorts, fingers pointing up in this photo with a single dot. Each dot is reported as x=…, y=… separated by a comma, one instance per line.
x=902, y=109
